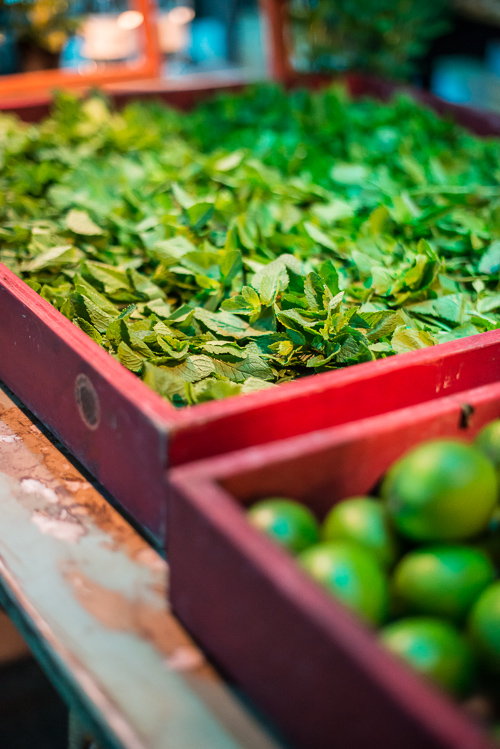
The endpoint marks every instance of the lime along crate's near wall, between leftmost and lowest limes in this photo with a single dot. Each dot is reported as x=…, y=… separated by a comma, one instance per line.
x=351, y=574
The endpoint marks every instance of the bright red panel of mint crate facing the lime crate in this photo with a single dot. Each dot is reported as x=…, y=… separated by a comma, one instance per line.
x=333, y=398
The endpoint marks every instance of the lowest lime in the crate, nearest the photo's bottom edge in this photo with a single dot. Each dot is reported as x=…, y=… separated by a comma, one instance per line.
x=433, y=648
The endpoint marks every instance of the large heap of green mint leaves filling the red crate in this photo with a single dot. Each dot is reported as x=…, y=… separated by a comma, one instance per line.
x=261, y=237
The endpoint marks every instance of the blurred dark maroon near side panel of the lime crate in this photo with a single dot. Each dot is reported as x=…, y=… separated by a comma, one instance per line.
x=303, y=658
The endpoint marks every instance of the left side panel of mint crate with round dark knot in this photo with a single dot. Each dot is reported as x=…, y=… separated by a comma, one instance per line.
x=106, y=417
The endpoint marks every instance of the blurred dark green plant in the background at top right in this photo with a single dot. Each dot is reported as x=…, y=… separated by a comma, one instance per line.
x=382, y=37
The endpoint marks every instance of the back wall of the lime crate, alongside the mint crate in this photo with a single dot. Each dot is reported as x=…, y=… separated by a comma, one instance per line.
x=324, y=467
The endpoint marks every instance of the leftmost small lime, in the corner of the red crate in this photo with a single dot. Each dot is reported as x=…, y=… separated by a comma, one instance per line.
x=287, y=522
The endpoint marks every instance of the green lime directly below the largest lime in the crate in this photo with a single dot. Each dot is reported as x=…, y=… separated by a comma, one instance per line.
x=442, y=580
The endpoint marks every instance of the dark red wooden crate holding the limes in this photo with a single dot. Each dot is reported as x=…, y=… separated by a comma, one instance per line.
x=308, y=662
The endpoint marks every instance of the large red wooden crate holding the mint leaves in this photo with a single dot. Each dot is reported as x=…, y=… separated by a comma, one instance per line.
x=138, y=435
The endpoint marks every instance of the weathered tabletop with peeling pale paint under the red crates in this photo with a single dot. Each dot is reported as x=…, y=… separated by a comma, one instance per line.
x=89, y=594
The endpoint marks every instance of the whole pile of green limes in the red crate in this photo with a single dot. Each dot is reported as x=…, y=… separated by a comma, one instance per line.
x=420, y=561
